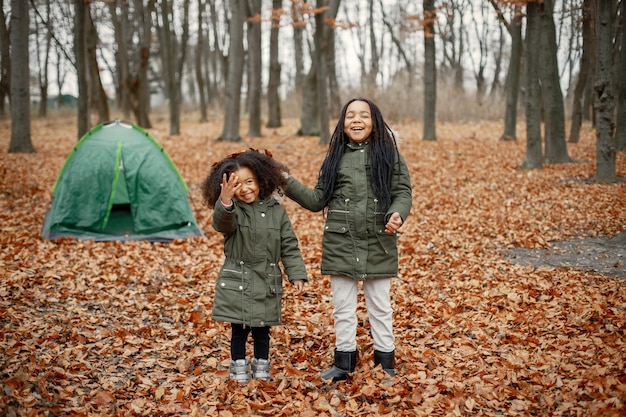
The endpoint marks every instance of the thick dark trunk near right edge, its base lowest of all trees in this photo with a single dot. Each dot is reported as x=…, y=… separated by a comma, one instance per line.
x=603, y=87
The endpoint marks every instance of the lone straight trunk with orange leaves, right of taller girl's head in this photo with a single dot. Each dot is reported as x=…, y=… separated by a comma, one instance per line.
x=430, y=71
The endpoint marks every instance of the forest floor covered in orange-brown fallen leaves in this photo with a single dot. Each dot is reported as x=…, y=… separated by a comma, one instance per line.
x=95, y=329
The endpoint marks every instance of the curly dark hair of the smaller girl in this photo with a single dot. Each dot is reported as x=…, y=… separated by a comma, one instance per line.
x=268, y=173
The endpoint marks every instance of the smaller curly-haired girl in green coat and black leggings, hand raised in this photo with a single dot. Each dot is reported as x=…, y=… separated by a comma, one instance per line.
x=258, y=236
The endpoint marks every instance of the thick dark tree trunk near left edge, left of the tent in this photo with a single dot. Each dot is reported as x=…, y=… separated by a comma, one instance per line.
x=20, y=94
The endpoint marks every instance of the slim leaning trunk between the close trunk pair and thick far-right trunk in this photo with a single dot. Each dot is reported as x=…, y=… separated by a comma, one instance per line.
x=583, y=74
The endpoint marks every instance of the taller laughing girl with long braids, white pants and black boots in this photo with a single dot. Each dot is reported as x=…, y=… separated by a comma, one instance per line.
x=365, y=190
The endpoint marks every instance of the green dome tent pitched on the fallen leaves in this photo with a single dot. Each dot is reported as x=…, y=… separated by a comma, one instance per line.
x=118, y=183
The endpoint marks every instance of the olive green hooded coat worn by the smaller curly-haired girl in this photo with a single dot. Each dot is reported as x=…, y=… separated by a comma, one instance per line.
x=256, y=237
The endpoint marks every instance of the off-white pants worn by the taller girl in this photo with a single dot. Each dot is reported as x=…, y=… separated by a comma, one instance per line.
x=378, y=304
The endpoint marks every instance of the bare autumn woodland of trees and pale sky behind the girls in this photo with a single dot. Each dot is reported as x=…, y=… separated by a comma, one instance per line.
x=236, y=55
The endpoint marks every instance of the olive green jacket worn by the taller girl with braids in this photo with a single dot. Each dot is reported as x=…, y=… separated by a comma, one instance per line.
x=355, y=243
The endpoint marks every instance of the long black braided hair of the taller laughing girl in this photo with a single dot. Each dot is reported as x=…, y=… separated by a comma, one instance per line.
x=382, y=151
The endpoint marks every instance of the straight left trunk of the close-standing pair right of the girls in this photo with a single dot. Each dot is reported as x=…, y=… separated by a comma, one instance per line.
x=534, y=154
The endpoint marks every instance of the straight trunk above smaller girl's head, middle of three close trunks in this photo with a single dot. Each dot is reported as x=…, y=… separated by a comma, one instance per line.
x=255, y=68
